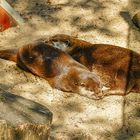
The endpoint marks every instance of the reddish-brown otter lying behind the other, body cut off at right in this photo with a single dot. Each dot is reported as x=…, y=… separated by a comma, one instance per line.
x=117, y=67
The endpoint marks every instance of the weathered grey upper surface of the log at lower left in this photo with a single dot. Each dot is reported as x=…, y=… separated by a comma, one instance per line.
x=21, y=109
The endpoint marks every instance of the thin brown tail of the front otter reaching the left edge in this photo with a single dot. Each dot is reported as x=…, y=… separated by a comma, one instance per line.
x=10, y=54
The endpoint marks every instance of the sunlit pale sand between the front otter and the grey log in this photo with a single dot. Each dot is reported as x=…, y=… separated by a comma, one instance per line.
x=71, y=112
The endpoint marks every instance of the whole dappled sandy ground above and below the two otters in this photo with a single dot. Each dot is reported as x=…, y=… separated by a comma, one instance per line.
x=96, y=21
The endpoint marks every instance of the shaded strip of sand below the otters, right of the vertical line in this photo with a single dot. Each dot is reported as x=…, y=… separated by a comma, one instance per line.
x=131, y=127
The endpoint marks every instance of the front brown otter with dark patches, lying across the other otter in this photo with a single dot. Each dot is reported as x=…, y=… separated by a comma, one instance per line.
x=54, y=65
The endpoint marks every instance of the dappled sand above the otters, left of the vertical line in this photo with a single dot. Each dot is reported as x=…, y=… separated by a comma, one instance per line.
x=95, y=18
